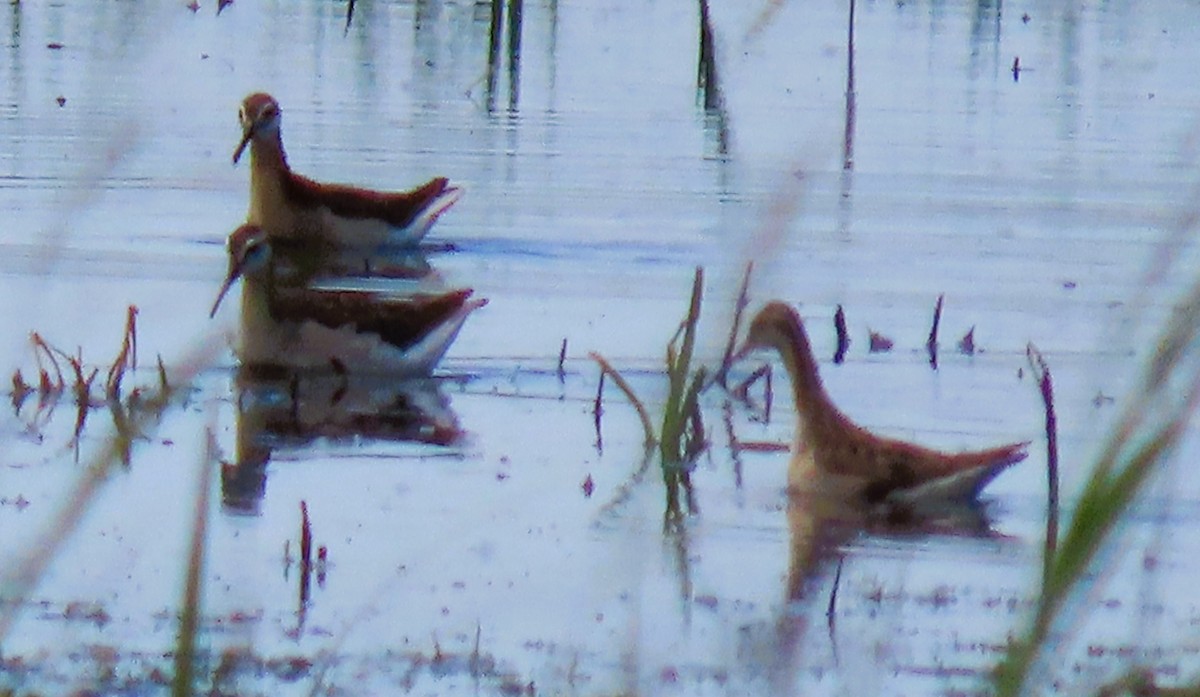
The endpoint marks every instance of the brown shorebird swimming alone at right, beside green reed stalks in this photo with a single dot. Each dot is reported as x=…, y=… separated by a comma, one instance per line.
x=832, y=455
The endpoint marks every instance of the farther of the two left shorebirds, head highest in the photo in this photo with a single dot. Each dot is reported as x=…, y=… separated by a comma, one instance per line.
x=289, y=206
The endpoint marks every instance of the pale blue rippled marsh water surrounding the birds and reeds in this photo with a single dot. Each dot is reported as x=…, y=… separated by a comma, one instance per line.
x=596, y=183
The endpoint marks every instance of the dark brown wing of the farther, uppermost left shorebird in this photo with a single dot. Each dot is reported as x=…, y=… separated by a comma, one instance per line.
x=350, y=202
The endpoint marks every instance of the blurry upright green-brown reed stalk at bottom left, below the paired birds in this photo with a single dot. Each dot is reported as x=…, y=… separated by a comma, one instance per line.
x=190, y=615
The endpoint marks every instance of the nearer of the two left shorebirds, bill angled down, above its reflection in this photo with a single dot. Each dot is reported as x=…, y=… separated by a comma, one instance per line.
x=353, y=332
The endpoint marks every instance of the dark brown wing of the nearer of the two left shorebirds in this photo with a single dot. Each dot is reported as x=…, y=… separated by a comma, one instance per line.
x=400, y=322
